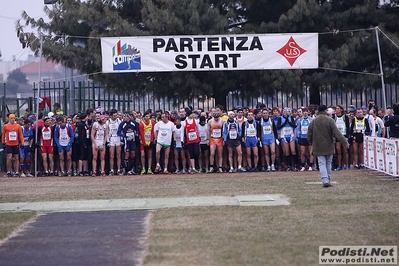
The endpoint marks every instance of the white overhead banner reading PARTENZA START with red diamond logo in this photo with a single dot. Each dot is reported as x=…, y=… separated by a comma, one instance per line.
x=214, y=52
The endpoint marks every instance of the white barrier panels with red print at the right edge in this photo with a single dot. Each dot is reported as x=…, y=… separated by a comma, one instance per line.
x=382, y=155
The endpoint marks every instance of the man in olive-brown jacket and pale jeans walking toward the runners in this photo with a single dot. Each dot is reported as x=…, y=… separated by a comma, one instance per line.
x=321, y=133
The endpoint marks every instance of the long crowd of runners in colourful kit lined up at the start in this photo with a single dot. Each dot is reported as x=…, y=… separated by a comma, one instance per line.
x=185, y=141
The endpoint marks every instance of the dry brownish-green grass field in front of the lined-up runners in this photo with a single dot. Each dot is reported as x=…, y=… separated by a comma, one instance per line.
x=361, y=209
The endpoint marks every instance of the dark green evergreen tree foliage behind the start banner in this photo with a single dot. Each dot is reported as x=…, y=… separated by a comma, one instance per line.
x=71, y=37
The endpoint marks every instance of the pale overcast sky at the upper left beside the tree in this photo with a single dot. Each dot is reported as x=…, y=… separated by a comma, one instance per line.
x=10, y=11
